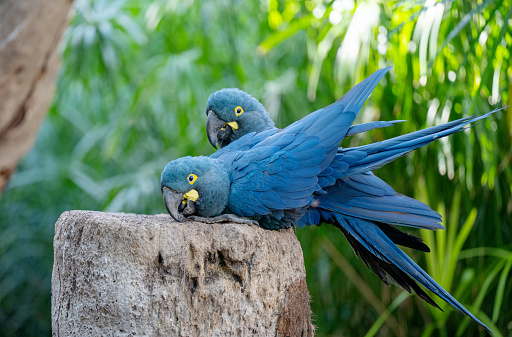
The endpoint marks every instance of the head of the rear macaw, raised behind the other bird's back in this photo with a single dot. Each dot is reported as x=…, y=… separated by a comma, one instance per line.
x=233, y=113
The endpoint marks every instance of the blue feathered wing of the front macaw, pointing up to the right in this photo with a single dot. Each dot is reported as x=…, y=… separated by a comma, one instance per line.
x=281, y=172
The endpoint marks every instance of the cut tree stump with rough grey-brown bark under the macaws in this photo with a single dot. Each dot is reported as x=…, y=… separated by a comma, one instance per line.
x=121, y=274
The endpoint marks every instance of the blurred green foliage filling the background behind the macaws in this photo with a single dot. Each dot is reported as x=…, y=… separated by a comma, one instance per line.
x=132, y=94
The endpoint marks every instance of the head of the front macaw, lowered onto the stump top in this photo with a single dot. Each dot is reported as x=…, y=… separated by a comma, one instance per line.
x=194, y=186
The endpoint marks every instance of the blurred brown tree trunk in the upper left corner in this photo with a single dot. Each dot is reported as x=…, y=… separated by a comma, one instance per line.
x=30, y=31
